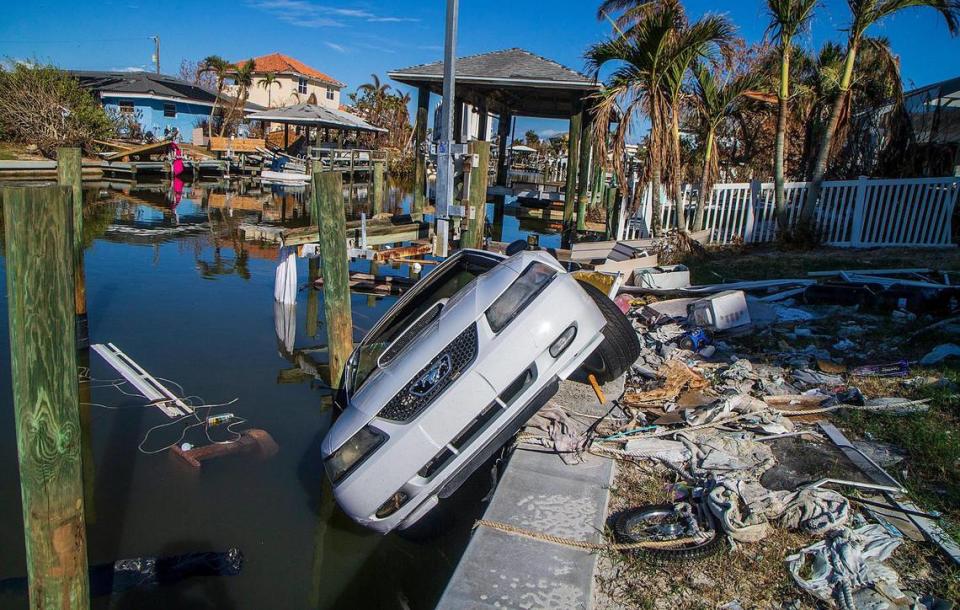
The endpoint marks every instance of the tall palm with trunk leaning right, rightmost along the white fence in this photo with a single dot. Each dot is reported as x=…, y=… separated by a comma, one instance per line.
x=864, y=13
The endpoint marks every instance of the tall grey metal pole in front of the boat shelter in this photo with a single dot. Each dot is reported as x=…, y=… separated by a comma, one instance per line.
x=445, y=152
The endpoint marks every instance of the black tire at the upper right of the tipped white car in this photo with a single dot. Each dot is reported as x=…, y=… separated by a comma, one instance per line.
x=620, y=347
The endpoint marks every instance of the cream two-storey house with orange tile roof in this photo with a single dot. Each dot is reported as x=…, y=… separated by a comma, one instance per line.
x=296, y=83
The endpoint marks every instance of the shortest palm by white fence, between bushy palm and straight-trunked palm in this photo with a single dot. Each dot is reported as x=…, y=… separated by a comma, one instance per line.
x=716, y=101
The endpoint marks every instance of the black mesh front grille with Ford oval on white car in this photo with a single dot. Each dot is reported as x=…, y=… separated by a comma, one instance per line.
x=445, y=368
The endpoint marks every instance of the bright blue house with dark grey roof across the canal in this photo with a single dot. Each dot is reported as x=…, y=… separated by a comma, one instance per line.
x=159, y=103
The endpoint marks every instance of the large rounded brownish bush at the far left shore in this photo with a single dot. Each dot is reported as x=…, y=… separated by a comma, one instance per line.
x=45, y=106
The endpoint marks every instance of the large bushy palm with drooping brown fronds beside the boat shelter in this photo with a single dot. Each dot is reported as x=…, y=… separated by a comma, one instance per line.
x=653, y=56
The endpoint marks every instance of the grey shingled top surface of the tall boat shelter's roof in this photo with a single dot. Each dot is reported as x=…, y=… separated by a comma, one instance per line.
x=515, y=64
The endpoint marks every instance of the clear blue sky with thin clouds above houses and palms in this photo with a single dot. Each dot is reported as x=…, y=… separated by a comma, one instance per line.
x=350, y=39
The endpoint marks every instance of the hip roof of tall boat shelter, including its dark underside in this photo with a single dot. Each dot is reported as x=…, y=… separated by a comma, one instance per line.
x=512, y=81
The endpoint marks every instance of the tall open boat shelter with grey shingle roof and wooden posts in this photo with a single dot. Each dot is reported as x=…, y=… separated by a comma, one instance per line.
x=508, y=83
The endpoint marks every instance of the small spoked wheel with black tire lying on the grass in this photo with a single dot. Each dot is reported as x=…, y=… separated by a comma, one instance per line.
x=652, y=523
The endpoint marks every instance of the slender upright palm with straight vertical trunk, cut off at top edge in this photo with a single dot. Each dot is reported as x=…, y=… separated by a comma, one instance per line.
x=787, y=18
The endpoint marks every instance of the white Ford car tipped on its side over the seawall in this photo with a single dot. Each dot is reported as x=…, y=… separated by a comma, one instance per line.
x=454, y=370
